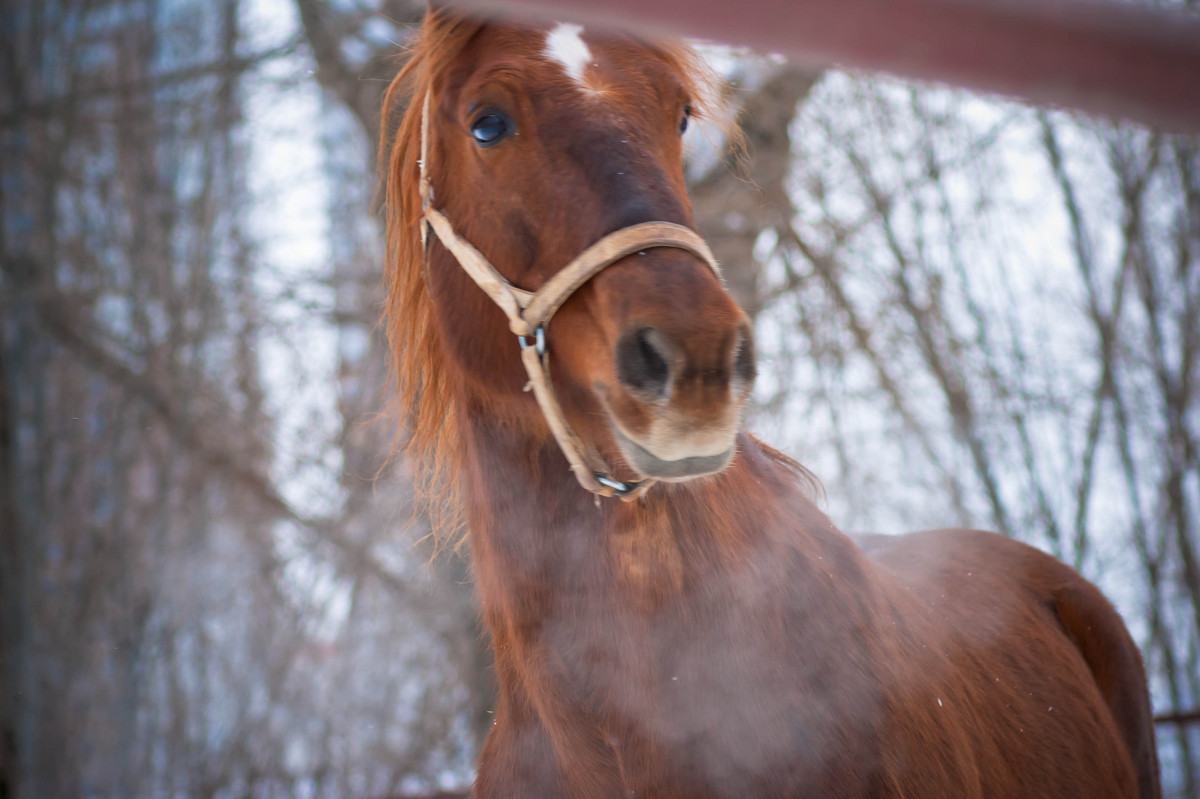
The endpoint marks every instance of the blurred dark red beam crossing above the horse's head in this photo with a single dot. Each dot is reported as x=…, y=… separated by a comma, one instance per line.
x=1123, y=62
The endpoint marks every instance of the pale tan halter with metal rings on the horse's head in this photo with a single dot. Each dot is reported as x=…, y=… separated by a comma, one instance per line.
x=530, y=313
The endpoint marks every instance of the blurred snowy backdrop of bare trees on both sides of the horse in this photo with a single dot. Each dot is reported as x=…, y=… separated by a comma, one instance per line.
x=970, y=313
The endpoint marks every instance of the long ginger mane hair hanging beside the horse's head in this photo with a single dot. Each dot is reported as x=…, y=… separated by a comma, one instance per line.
x=423, y=391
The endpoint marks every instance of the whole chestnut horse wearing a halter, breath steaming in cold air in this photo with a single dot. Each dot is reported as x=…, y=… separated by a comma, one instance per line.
x=717, y=636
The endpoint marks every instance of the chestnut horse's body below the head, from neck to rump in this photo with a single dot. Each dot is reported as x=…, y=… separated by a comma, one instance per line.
x=649, y=656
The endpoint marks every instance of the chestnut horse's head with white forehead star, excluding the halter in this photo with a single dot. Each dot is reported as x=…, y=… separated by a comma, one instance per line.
x=538, y=143
